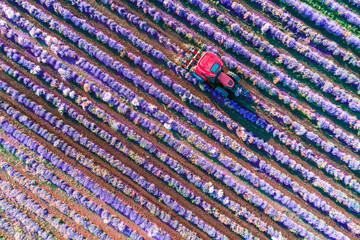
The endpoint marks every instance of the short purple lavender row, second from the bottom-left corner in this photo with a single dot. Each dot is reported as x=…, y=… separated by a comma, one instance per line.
x=29, y=224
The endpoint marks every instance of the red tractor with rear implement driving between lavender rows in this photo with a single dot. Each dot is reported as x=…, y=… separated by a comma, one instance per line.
x=209, y=67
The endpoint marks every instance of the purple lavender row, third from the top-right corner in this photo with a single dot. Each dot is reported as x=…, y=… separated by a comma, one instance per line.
x=315, y=37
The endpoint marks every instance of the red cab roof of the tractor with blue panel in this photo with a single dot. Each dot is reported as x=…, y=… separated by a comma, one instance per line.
x=209, y=64
